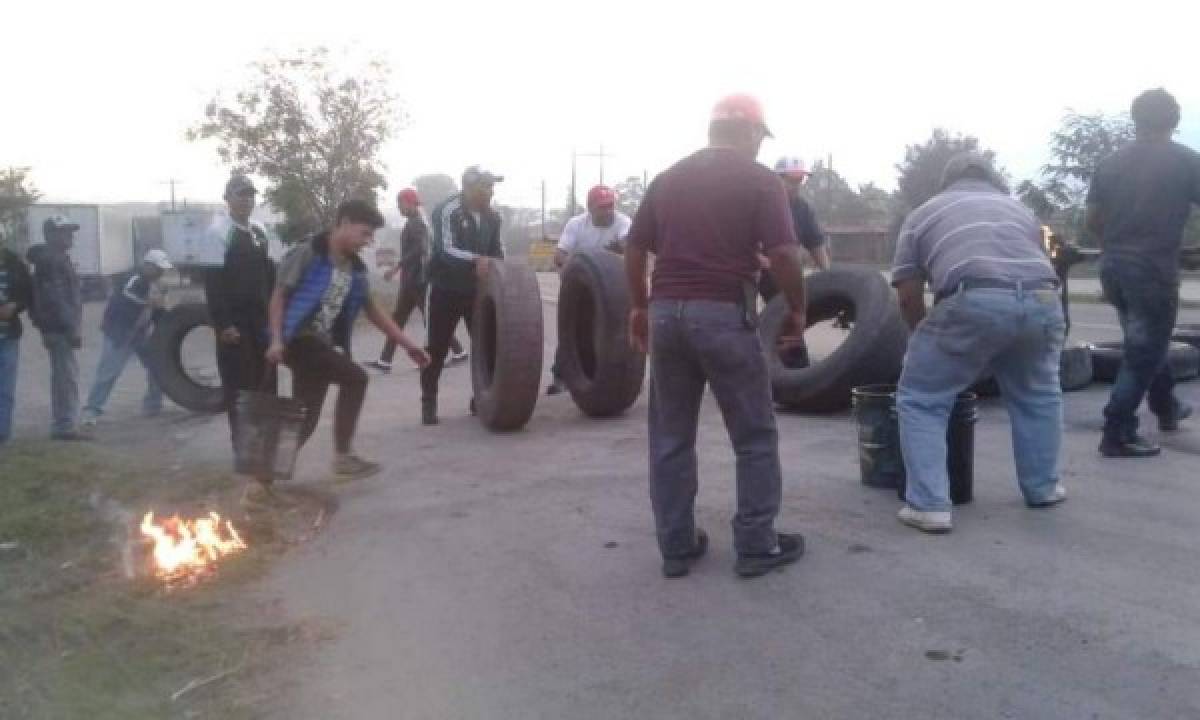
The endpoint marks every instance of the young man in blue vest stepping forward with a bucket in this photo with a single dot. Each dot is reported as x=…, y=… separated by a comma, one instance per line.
x=322, y=287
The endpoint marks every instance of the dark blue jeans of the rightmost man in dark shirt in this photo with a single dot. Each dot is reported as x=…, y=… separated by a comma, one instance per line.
x=1148, y=307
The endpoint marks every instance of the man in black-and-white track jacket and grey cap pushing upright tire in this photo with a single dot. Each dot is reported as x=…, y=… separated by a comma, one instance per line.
x=466, y=237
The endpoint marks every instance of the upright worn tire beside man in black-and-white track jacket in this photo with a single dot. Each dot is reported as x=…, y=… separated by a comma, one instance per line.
x=507, y=346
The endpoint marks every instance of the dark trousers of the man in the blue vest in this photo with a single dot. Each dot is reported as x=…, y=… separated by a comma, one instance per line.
x=315, y=367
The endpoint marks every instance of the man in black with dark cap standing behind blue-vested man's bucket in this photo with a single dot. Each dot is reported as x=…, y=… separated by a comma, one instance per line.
x=238, y=293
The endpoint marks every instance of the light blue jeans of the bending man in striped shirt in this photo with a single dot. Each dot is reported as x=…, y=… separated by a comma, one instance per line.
x=1019, y=335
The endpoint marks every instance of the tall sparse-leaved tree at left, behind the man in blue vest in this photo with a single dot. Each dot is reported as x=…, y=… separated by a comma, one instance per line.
x=314, y=131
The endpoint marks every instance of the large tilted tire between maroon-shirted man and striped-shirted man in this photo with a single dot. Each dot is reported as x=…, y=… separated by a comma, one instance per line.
x=872, y=355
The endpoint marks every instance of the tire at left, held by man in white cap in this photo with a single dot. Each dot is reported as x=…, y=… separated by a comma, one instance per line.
x=166, y=349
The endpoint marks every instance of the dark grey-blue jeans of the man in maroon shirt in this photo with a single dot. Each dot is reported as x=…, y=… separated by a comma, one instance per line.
x=693, y=345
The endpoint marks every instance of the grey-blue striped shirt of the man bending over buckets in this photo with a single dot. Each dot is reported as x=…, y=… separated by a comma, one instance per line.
x=973, y=230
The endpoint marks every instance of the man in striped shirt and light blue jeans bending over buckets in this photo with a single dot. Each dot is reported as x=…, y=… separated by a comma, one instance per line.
x=997, y=307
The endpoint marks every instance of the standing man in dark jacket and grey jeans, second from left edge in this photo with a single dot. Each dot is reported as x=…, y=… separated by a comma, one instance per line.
x=58, y=314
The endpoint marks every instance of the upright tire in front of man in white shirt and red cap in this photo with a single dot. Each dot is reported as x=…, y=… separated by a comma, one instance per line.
x=599, y=368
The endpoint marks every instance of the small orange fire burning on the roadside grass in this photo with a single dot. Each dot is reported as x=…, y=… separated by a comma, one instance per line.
x=188, y=549
